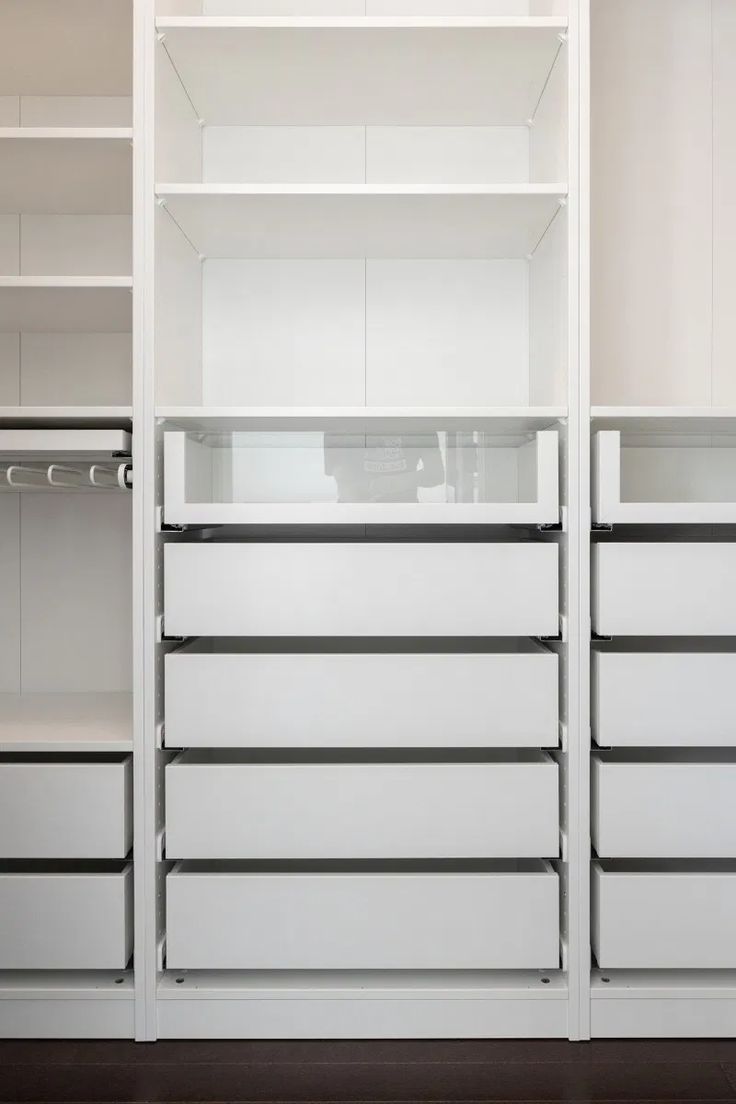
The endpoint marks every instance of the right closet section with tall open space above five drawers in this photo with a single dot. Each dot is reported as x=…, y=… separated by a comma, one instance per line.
x=664, y=423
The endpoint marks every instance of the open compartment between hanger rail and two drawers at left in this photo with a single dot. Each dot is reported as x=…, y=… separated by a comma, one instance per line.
x=66, y=592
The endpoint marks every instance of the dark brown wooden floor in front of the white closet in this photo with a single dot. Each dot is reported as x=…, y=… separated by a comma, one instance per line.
x=345, y=1073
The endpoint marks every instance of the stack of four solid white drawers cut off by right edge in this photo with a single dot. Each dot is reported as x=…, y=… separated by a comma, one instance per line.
x=665, y=795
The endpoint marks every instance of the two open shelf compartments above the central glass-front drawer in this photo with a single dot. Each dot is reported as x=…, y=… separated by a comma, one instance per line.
x=393, y=242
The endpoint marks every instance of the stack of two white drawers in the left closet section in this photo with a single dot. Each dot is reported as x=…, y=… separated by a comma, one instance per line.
x=66, y=888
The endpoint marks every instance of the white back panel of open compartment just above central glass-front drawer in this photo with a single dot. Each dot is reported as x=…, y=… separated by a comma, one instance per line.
x=382, y=333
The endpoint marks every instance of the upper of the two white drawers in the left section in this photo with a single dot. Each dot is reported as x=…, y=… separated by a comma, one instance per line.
x=55, y=808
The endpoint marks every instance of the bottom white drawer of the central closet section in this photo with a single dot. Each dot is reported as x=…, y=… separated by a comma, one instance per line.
x=229, y=919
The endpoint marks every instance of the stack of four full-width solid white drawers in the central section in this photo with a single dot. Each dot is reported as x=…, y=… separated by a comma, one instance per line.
x=370, y=802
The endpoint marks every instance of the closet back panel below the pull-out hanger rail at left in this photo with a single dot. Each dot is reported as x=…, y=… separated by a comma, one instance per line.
x=67, y=571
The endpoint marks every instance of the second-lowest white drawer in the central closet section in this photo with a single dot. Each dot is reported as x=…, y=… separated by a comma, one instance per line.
x=229, y=809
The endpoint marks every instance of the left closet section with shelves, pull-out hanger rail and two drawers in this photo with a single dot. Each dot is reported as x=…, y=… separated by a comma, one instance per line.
x=67, y=415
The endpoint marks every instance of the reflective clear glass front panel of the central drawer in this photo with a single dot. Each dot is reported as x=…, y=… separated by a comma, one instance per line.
x=316, y=466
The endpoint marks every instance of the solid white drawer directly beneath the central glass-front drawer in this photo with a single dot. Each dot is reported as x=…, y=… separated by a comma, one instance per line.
x=410, y=589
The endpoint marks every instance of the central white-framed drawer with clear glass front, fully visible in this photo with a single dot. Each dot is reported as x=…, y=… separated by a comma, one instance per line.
x=386, y=472
